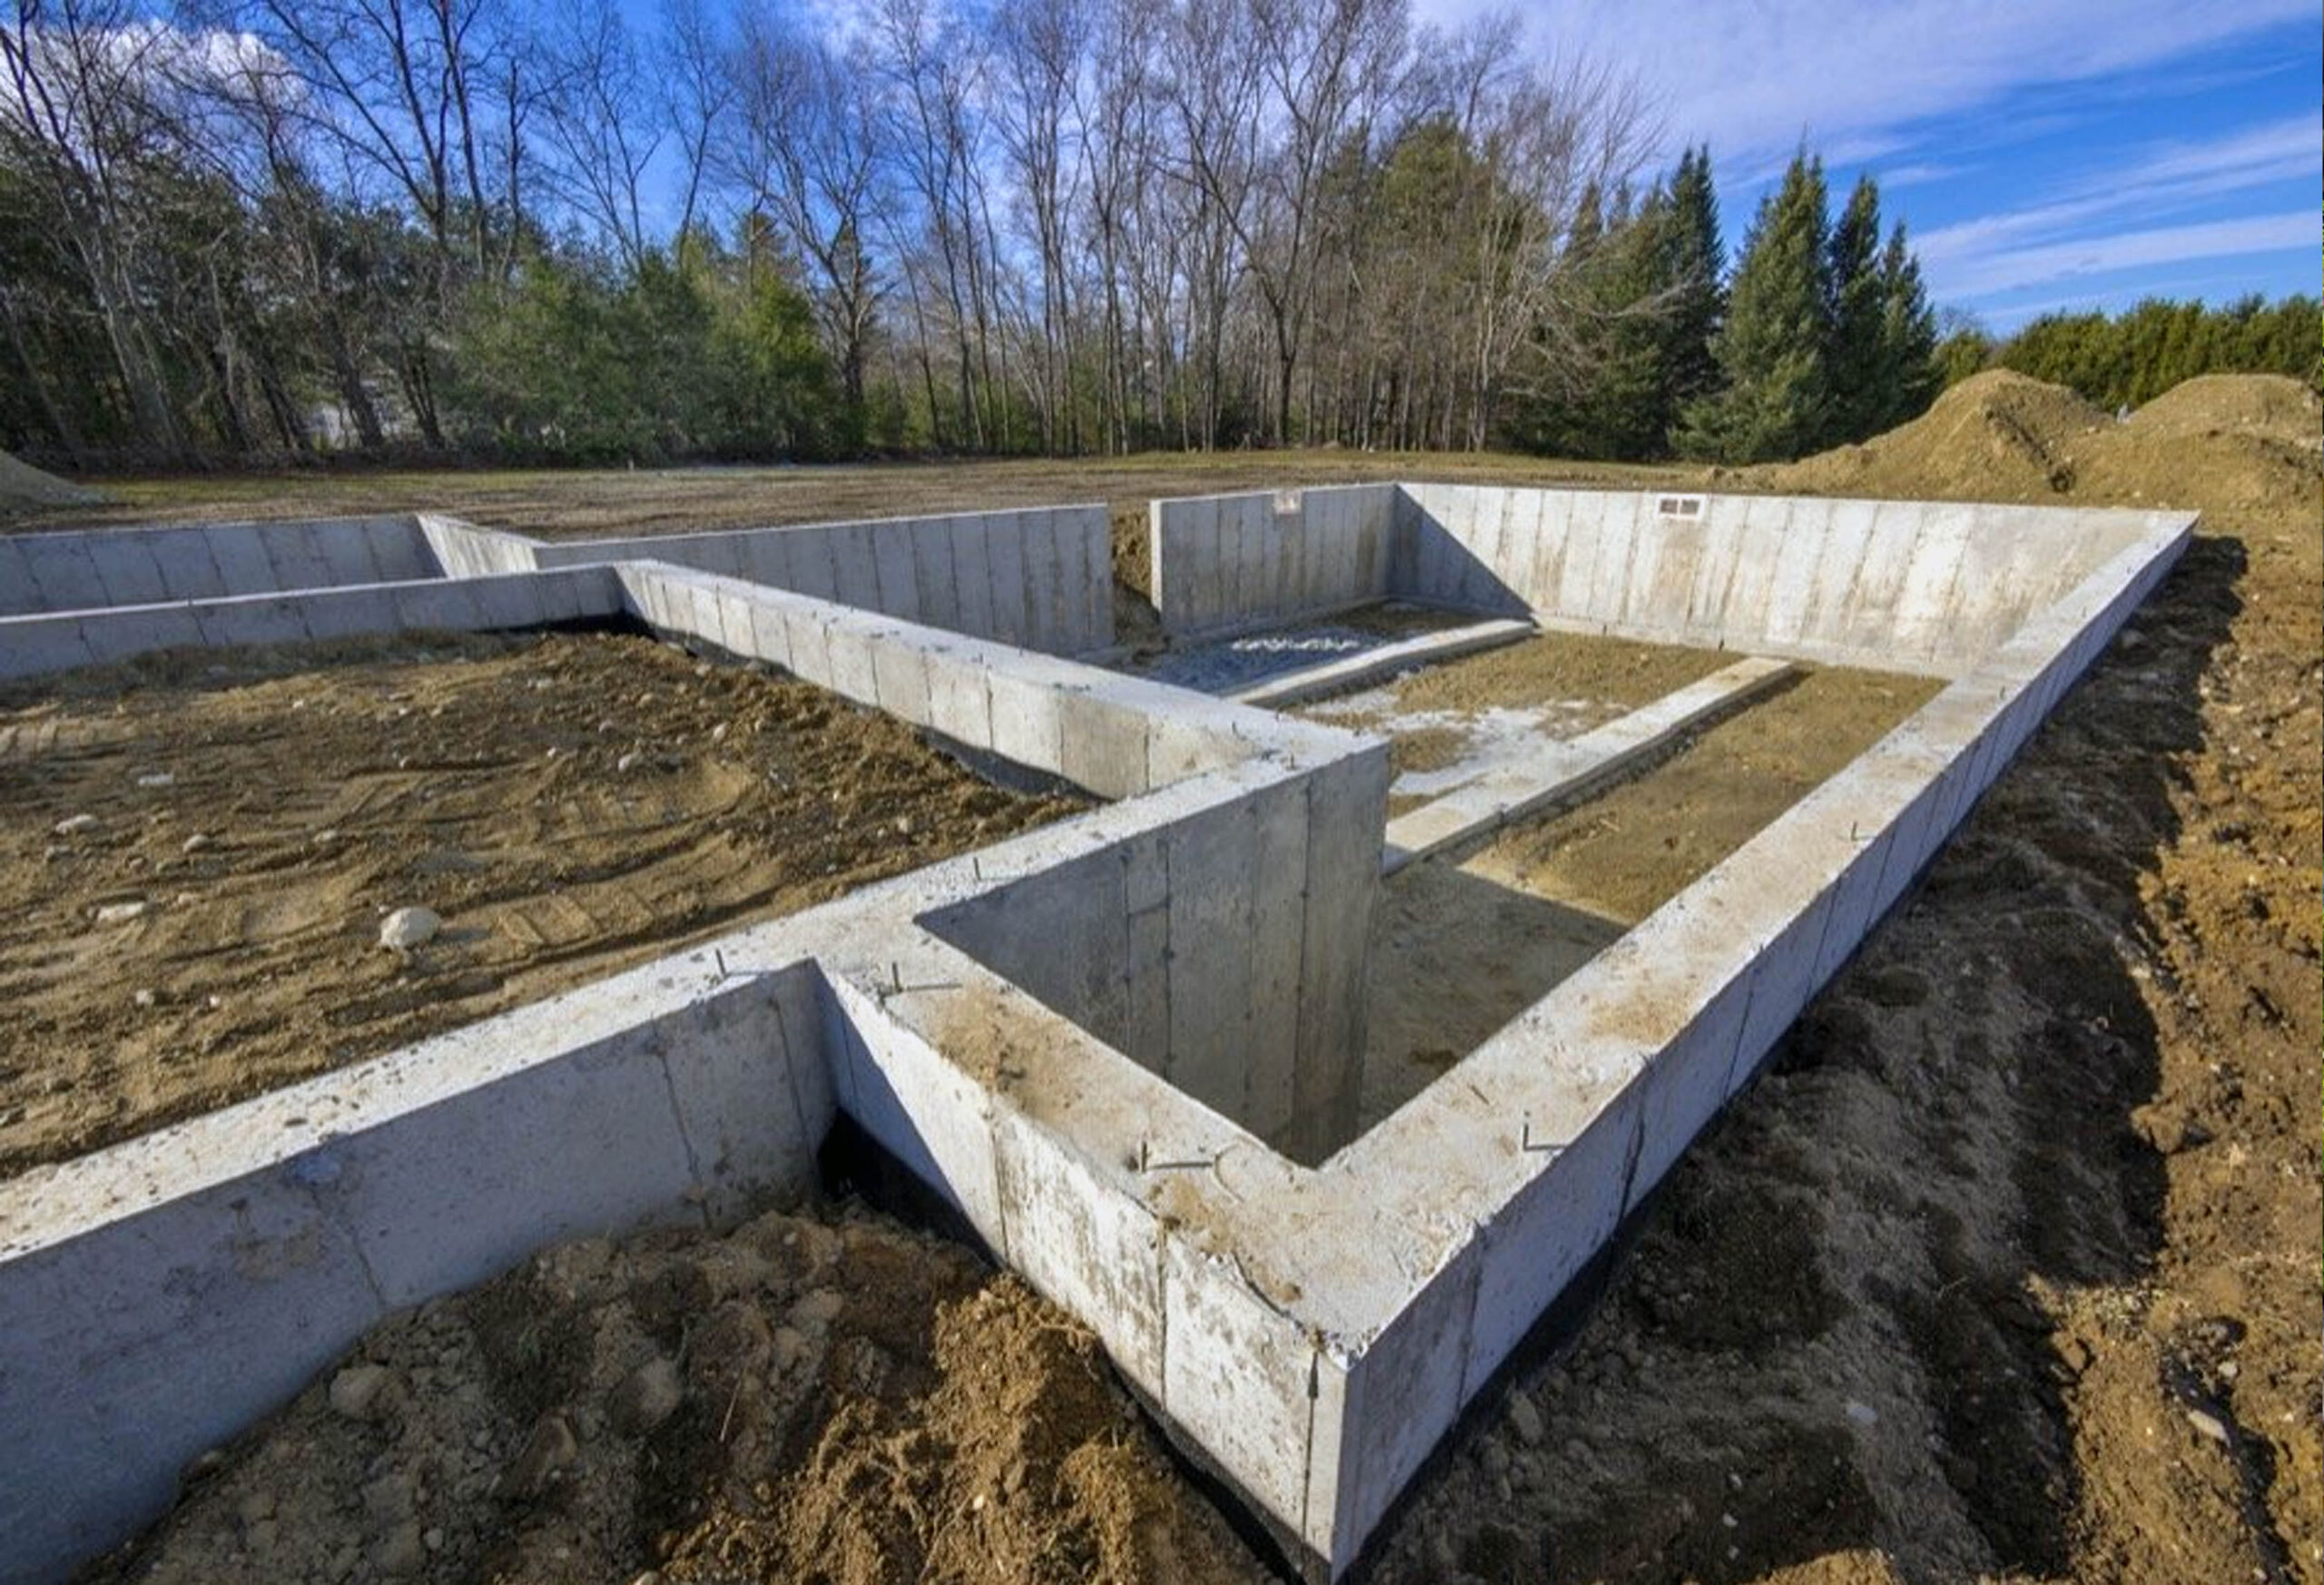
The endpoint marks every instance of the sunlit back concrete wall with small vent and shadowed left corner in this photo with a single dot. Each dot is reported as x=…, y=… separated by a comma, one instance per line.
x=1909, y=587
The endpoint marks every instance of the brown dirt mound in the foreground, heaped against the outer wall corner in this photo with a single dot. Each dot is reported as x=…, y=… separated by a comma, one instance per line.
x=812, y=1396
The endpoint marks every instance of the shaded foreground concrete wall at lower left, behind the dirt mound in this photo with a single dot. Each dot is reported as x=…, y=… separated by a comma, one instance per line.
x=261, y=1242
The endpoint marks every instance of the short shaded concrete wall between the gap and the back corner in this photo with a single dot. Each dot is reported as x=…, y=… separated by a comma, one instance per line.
x=1231, y=561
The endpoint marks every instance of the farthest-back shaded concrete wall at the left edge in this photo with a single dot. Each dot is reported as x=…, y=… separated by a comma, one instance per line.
x=148, y=566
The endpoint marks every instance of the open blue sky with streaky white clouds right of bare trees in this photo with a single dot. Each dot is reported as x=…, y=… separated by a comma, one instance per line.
x=2044, y=155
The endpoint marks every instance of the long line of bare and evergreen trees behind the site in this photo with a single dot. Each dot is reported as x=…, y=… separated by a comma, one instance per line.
x=280, y=229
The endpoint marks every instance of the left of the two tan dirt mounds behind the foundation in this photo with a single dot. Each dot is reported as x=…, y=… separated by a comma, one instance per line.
x=1997, y=436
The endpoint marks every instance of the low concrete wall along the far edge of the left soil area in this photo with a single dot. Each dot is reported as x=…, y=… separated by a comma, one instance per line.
x=38, y=645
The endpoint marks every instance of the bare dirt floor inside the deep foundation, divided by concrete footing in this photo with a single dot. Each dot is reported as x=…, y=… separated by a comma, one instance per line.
x=1465, y=945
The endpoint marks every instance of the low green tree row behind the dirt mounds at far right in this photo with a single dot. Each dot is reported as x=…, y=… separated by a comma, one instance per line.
x=2135, y=357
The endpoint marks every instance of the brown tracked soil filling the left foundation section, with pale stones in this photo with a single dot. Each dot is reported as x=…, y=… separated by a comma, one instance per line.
x=568, y=805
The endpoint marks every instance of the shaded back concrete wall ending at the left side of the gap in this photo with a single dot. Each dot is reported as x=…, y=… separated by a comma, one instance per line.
x=1035, y=580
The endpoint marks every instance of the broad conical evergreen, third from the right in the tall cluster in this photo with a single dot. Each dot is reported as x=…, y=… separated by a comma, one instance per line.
x=1772, y=361
